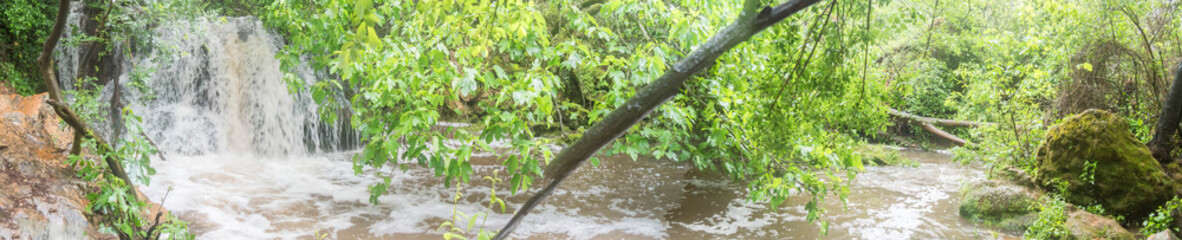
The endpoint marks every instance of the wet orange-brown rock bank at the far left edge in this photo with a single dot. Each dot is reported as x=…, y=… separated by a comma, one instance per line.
x=41, y=197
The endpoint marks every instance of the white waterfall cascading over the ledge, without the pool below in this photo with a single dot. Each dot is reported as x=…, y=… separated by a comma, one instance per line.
x=219, y=89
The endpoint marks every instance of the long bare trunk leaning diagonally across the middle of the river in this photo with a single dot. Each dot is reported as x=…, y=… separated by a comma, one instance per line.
x=751, y=21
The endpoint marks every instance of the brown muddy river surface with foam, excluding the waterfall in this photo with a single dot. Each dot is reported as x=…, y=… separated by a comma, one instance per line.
x=246, y=198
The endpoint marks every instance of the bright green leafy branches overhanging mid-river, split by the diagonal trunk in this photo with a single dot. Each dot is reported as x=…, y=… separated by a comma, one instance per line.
x=777, y=113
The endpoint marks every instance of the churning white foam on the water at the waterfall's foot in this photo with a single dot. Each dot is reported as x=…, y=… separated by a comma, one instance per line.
x=249, y=198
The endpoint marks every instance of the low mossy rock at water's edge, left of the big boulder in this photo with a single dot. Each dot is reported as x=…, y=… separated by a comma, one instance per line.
x=999, y=204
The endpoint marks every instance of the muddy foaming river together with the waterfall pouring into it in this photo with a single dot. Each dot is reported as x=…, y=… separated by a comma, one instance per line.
x=249, y=160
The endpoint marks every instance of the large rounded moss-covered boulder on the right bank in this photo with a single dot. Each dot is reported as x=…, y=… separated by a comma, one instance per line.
x=1100, y=161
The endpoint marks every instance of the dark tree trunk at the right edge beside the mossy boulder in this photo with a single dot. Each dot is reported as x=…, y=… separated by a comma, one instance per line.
x=1162, y=144
